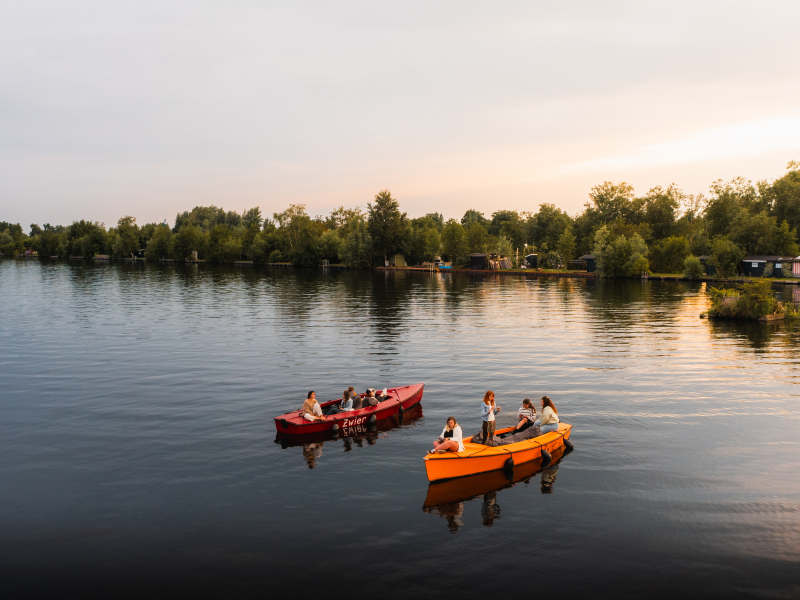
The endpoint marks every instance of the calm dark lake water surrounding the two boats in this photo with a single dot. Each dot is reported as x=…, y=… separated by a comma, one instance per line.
x=138, y=452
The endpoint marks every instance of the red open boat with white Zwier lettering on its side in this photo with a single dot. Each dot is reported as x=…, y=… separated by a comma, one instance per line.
x=399, y=400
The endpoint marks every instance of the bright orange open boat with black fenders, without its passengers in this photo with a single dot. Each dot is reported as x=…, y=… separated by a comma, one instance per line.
x=477, y=458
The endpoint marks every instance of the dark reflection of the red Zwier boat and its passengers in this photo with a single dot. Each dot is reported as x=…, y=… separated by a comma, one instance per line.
x=348, y=438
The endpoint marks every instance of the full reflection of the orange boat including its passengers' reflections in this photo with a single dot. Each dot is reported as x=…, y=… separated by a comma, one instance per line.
x=447, y=498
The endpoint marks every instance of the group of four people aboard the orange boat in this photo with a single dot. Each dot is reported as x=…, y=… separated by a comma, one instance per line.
x=451, y=438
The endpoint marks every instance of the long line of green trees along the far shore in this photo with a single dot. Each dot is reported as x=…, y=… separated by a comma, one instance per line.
x=627, y=233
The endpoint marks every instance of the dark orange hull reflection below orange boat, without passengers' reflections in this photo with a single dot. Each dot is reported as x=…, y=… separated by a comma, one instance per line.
x=472, y=486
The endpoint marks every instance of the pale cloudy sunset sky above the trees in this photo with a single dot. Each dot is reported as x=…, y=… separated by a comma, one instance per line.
x=151, y=108
